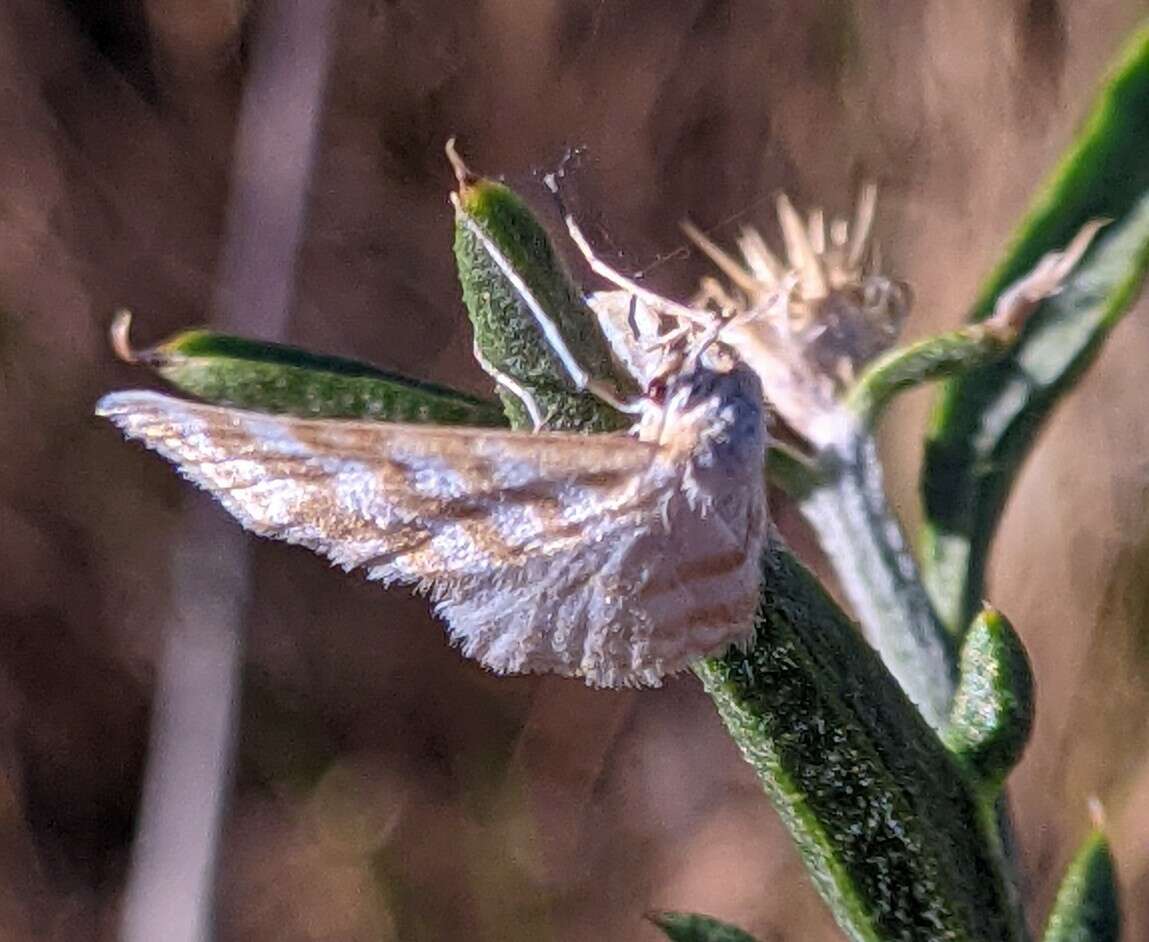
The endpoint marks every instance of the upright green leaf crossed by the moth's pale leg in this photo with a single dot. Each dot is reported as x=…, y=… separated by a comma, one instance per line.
x=507, y=333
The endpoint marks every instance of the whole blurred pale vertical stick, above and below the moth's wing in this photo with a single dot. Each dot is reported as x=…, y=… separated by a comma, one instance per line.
x=172, y=883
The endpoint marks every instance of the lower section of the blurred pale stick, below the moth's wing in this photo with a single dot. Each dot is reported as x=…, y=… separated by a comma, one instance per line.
x=171, y=885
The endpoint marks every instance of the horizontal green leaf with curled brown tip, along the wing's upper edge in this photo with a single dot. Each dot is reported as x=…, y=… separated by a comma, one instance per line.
x=276, y=379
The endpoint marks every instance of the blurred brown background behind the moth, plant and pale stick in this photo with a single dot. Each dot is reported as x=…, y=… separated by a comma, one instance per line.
x=385, y=789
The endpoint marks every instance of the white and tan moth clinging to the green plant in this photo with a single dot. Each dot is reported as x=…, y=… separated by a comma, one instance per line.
x=619, y=559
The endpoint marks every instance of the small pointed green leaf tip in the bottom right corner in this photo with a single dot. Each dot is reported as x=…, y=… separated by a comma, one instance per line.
x=1088, y=908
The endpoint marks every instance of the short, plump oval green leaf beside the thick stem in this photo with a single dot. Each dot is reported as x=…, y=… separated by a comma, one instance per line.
x=993, y=711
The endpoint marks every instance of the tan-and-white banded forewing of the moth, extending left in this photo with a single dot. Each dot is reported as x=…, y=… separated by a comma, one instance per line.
x=356, y=491
